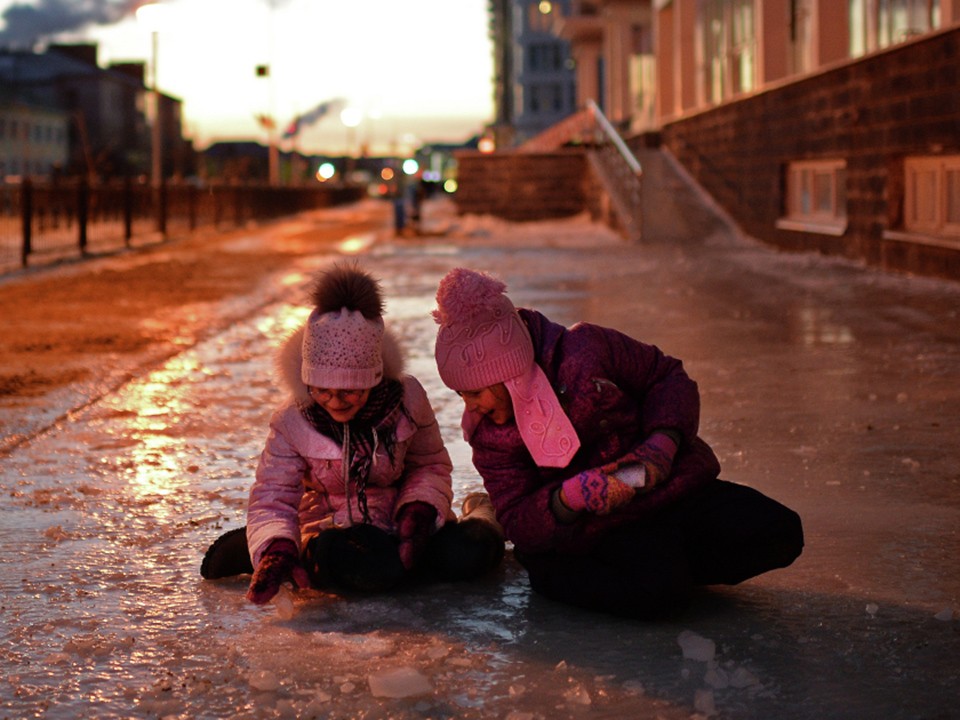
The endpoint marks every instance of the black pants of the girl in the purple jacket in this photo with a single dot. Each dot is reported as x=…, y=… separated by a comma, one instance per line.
x=722, y=535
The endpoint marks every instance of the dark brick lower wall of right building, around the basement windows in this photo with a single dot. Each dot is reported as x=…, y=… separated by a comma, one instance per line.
x=873, y=113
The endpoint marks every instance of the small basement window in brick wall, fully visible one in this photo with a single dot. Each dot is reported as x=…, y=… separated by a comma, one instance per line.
x=816, y=199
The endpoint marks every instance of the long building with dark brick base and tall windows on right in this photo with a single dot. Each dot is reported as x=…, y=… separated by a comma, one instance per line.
x=815, y=124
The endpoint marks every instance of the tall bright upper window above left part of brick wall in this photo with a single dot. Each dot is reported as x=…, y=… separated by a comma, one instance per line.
x=728, y=46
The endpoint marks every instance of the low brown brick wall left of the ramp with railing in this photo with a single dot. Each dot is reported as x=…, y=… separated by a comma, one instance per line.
x=522, y=186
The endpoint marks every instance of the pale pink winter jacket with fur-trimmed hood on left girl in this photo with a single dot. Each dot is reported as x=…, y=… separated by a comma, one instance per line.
x=299, y=488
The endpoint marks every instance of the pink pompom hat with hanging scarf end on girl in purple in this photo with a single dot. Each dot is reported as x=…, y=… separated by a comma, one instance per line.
x=482, y=341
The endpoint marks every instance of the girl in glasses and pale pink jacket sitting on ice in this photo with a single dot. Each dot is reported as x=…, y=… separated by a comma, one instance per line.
x=353, y=488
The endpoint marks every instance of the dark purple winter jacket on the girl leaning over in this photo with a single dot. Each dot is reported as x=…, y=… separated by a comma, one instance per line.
x=616, y=392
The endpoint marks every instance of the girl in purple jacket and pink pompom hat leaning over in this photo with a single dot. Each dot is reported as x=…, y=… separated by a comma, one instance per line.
x=586, y=440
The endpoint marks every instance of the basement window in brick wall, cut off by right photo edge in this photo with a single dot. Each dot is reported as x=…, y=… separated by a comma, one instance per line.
x=932, y=195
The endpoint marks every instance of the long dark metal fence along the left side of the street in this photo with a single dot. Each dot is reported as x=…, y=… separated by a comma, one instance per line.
x=45, y=222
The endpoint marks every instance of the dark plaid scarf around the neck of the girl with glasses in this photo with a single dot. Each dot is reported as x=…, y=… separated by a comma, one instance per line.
x=364, y=432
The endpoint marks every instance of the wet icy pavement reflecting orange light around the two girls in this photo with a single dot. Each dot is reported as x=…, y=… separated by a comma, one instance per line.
x=832, y=388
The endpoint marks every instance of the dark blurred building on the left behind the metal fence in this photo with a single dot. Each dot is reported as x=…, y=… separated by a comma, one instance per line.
x=107, y=129
